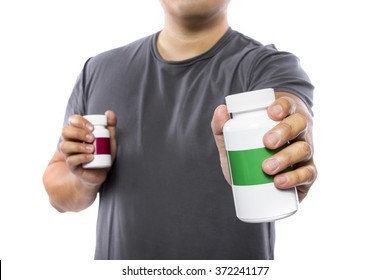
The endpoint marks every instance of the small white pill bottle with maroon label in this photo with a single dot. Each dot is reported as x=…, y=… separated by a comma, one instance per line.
x=102, y=154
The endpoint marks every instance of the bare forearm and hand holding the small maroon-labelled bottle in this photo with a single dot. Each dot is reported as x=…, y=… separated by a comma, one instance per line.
x=69, y=186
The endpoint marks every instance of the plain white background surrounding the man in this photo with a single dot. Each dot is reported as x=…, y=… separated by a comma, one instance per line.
x=341, y=229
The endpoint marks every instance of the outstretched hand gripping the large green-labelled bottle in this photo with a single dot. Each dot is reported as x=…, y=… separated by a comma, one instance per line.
x=295, y=126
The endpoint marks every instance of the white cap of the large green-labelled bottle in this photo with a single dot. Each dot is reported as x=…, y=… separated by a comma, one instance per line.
x=250, y=100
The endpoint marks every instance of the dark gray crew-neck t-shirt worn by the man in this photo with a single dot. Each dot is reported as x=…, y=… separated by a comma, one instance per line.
x=165, y=196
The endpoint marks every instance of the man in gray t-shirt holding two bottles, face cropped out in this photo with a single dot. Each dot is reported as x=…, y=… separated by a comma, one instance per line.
x=165, y=196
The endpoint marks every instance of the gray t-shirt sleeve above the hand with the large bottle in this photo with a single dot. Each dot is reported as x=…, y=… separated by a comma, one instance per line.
x=282, y=72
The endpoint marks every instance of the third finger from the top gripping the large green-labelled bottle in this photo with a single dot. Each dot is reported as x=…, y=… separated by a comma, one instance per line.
x=299, y=151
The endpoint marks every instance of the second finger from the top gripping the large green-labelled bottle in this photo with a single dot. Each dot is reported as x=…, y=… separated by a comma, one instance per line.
x=288, y=129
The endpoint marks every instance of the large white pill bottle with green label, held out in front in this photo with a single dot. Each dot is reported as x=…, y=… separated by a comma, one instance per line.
x=255, y=196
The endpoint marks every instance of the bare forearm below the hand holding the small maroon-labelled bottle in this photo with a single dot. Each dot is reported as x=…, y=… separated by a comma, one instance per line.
x=66, y=191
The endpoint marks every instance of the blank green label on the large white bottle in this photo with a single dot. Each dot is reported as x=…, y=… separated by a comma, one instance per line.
x=246, y=166
